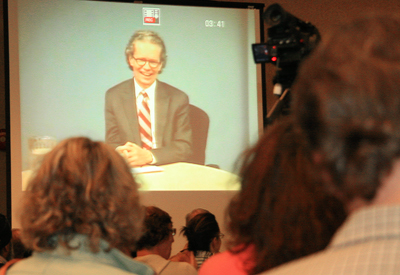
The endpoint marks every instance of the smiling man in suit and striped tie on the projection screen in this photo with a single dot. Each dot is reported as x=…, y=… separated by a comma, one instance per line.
x=161, y=134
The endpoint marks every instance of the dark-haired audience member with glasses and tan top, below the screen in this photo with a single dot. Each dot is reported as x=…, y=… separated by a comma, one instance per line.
x=154, y=247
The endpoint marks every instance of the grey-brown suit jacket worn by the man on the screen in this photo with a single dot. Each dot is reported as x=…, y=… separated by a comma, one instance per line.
x=172, y=122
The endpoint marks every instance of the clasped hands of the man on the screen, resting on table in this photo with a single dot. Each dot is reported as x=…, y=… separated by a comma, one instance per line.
x=135, y=155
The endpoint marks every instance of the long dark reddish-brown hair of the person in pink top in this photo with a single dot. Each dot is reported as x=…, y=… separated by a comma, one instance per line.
x=279, y=189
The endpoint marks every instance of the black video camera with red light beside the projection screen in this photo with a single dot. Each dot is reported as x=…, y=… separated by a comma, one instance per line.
x=289, y=41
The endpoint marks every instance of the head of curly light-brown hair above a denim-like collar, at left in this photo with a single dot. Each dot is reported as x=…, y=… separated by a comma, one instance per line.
x=82, y=187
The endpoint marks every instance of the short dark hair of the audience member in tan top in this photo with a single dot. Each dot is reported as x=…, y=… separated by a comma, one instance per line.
x=156, y=228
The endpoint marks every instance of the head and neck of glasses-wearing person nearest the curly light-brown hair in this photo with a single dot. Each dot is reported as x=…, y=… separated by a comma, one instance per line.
x=158, y=233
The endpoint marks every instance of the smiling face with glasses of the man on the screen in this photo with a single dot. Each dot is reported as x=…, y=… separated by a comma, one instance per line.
x=146, y=74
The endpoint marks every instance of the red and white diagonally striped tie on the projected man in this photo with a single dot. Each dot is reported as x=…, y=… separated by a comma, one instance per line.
x=145, y=122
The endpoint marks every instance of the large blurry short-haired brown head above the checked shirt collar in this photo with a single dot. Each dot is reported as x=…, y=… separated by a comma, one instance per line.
x=347, y=100
